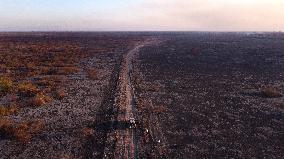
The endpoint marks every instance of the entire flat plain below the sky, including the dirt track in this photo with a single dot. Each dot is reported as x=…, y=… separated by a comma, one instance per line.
x=141, y=95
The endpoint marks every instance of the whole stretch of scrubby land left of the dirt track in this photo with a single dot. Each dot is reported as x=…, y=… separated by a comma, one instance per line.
x=59, y=86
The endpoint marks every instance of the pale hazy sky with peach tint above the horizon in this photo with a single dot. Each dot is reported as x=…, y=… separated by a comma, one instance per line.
x=141, y=15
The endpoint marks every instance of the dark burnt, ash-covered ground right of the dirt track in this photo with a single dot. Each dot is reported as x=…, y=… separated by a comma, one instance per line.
x=212, y=95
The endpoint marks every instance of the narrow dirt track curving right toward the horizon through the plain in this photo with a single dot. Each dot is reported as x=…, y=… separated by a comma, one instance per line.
x=125, y=135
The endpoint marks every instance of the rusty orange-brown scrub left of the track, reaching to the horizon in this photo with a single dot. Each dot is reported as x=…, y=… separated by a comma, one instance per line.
x=35, y=71
